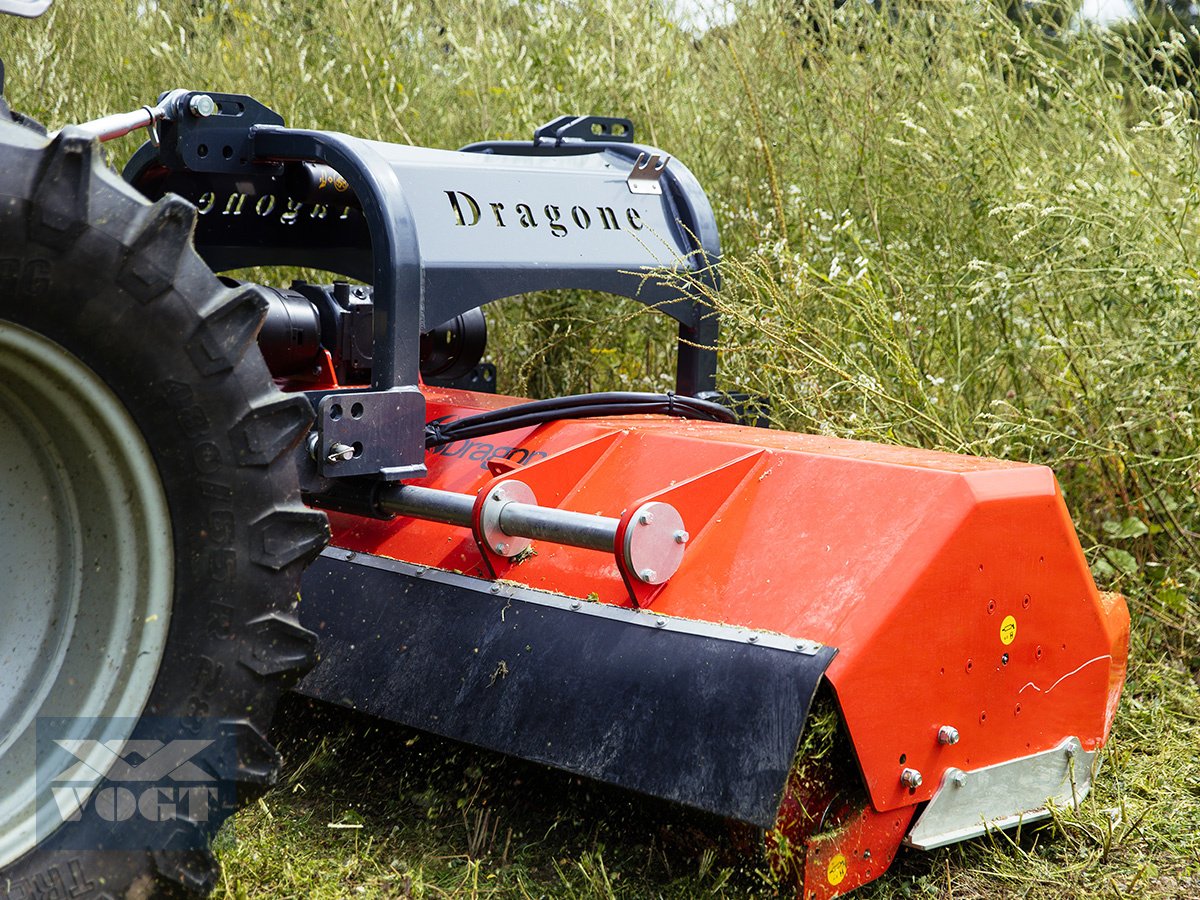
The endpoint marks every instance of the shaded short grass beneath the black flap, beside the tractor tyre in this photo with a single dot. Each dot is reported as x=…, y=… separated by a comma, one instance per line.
x=441, y=819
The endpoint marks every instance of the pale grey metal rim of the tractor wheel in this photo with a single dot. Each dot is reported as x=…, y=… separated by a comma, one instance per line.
x=86, y=567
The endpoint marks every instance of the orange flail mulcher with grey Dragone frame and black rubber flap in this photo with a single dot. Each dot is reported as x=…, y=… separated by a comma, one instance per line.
x=650, y=602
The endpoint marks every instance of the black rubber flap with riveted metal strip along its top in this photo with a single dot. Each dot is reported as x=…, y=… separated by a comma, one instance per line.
x=707, y=716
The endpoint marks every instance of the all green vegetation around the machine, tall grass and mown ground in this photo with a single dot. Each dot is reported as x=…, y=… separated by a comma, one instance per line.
x=940, y=230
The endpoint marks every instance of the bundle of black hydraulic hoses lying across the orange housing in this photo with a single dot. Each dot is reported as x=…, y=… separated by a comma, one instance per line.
x=584, y=406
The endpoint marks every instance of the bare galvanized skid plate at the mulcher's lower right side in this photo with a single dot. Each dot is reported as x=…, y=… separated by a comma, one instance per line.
x=971, y=803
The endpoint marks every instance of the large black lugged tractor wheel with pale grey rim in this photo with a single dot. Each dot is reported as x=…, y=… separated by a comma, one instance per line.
x=152, y=535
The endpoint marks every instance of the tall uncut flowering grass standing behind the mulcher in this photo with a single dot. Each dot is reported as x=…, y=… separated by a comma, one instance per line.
x=939, y=229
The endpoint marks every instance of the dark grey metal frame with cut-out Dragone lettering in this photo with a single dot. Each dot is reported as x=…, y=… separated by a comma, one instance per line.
x=439, y=233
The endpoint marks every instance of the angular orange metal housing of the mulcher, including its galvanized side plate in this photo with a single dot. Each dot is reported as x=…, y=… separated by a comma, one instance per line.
x=953, y=589
